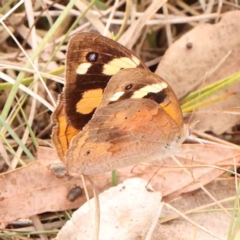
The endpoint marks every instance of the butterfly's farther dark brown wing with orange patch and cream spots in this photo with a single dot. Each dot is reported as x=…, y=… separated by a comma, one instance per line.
x=91, y=61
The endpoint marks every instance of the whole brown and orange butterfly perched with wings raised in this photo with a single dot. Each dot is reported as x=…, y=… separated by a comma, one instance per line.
x=137, y=117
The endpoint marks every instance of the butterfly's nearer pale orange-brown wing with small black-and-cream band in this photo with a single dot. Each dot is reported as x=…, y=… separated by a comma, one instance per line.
x=138, y=119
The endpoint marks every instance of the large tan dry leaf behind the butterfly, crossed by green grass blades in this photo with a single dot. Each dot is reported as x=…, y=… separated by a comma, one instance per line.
x=184, y=68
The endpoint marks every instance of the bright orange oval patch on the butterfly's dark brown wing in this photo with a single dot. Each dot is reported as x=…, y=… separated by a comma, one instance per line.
x=90, y=100
